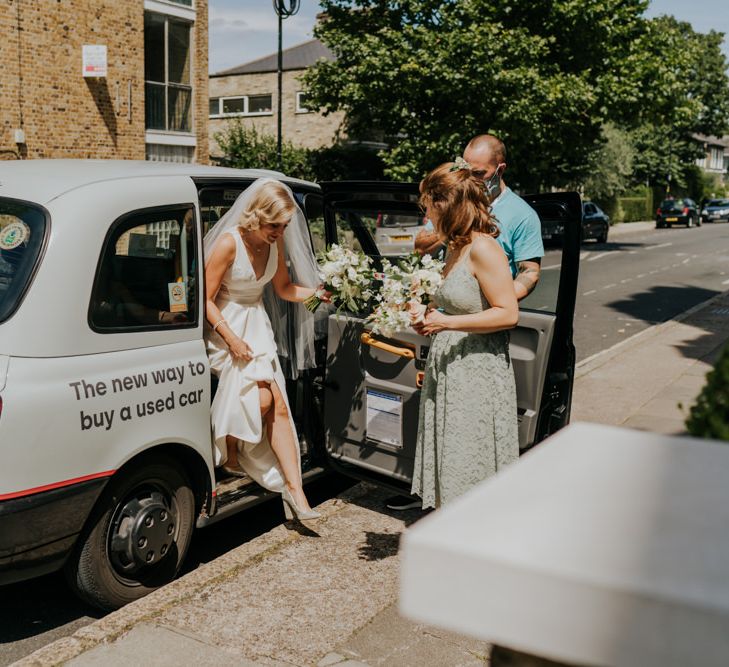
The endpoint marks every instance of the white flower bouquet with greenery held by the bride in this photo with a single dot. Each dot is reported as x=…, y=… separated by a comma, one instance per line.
x=347, y=275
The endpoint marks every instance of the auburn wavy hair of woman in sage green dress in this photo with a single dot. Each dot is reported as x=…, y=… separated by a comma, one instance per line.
x=461, y=205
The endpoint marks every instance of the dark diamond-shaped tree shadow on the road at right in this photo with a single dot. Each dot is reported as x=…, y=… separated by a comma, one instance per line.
x=661, y=303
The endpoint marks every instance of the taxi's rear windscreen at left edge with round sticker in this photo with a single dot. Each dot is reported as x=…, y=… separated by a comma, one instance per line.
x=22, y=230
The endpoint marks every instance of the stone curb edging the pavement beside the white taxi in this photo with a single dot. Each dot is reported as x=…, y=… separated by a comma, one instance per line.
x=119, y=622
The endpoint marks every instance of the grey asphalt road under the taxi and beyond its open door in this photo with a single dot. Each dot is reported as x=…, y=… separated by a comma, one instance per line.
x=625, y=286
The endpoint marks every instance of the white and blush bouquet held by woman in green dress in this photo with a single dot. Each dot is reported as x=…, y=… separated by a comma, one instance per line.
x=407, y=289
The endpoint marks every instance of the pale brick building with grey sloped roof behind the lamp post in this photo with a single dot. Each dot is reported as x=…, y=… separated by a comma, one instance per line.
x=248, y=92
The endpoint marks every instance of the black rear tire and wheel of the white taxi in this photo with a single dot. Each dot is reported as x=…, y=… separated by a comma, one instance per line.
x=108, y=575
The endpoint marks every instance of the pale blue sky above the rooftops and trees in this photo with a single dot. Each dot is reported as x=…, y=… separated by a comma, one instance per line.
x=243, y=30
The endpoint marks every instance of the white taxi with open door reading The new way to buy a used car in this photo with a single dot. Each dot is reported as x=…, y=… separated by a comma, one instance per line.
x=105, y=387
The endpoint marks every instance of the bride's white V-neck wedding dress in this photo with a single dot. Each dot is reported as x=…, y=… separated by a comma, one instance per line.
x=236, y=409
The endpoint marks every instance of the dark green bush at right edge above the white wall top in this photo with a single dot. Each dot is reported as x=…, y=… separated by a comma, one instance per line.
x=709, y=418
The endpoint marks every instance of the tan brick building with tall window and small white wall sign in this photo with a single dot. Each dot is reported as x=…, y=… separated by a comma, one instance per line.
x=152, y=102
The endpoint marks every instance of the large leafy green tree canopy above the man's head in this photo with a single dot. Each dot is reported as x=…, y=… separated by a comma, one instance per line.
x=426, y=75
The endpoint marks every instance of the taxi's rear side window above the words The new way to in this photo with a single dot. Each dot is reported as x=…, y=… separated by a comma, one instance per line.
x=146, y=278
